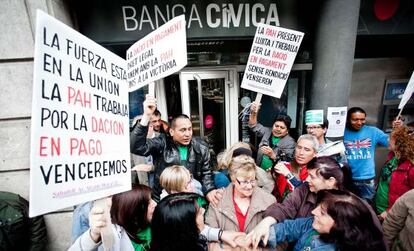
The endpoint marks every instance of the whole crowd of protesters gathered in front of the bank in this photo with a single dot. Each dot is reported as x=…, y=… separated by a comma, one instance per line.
x=286, y=195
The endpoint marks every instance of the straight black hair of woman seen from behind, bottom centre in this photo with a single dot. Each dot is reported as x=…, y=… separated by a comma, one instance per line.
x=174, y=225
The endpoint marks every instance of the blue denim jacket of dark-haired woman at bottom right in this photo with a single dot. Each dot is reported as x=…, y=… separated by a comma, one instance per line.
x=299, y=230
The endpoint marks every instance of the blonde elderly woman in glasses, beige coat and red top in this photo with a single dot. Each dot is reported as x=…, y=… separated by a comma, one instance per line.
x=243, y=203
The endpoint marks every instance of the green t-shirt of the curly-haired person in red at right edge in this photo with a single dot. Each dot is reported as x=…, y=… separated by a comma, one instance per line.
x=381, y=198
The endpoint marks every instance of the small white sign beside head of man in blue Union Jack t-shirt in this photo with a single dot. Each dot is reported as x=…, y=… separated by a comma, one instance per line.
x=337, y=120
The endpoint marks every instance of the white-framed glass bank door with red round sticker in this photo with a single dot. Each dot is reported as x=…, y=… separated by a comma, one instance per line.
x=206, y=97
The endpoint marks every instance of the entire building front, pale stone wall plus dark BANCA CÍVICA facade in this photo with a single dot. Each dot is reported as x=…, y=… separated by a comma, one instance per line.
x=354, y=53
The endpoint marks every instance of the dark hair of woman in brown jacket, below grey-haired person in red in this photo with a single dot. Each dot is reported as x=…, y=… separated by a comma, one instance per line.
x=328, y=167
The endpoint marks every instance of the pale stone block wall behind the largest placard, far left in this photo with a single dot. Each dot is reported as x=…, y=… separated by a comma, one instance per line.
x=18, y=19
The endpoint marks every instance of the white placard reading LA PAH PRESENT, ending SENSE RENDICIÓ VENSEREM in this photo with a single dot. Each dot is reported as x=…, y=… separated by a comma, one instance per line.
x=271, y=58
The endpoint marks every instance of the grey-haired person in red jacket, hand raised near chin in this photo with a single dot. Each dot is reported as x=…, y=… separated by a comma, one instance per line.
x=290, y=175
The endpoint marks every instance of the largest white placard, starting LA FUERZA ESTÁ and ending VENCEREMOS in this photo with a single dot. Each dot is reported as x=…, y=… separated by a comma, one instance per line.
x=80, y=131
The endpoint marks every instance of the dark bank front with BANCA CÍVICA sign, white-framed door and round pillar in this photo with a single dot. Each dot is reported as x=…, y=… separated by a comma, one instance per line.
x=219, y=37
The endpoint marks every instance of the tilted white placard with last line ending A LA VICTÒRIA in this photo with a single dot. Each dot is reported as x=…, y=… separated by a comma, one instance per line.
x=157, y=55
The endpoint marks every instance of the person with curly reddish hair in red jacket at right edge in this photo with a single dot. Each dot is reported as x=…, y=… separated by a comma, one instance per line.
x=397, y=175
